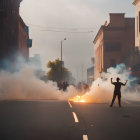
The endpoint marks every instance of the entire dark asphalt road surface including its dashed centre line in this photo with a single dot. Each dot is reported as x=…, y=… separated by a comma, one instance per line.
x=55, y=120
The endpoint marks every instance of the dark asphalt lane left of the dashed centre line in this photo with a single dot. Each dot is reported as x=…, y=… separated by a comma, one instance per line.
x=32, y=120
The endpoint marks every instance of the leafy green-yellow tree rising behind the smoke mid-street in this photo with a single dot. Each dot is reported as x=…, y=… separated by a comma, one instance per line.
x=57, y=71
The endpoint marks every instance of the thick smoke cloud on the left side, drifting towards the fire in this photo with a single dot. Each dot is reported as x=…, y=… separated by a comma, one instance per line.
x=25, y=85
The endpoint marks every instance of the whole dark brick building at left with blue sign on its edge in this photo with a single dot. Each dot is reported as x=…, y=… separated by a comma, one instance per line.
x=14, y=35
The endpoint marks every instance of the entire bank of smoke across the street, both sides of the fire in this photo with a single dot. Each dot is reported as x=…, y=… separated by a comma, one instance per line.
x=24, y=85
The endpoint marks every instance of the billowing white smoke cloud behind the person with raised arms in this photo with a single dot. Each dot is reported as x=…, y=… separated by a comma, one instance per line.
x=102, y=89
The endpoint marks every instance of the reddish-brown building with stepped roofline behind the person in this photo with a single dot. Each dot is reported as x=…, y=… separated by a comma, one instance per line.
x=113, y=43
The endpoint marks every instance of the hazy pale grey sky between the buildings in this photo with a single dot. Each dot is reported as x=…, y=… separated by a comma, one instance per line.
x=50, y=21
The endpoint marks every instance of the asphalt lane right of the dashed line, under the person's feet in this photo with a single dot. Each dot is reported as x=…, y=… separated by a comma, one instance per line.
x=104, y=123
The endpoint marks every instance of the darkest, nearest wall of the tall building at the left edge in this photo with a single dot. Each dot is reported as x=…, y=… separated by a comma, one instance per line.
x=9, y=12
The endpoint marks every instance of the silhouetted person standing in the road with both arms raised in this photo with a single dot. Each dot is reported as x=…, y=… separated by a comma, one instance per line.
x=117, y=91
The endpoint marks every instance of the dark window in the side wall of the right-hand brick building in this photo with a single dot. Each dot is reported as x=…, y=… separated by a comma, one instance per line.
x=113, y=47
